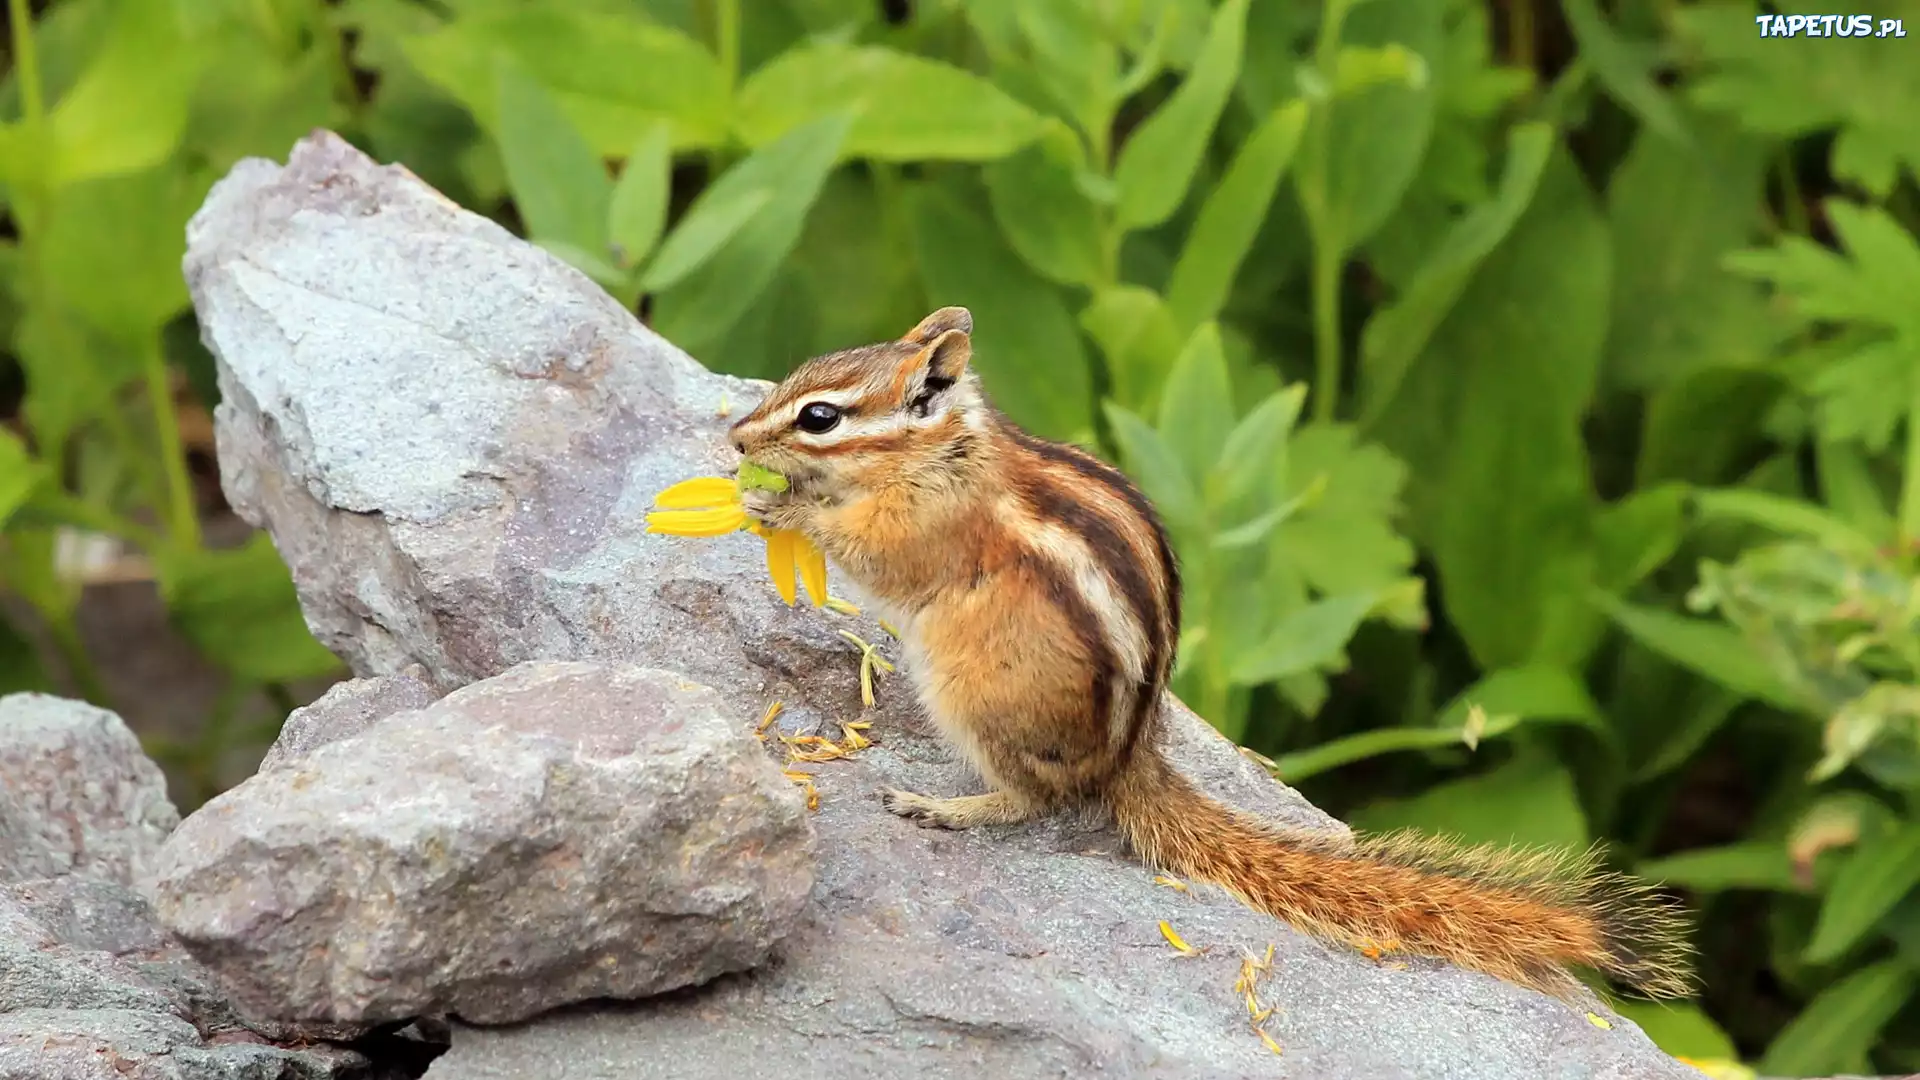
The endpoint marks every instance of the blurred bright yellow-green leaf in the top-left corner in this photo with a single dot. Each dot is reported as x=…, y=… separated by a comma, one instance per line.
x=130, y=107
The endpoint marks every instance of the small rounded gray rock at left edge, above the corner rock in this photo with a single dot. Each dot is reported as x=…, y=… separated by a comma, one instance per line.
x=78, y=795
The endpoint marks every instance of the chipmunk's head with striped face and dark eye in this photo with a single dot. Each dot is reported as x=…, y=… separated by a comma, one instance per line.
x=873, y=416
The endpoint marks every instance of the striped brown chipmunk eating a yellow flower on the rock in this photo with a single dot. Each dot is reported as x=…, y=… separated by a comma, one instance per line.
x=1040, y=602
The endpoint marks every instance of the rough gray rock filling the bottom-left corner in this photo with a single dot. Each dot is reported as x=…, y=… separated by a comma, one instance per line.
x=91, y=987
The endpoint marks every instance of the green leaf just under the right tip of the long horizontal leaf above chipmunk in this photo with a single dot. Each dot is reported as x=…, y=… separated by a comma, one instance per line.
x=1045, y=212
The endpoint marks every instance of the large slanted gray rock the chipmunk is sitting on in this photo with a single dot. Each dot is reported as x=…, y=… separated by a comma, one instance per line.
x=454, y=439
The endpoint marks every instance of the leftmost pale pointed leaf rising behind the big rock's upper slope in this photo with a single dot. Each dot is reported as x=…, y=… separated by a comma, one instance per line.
x=558, y=182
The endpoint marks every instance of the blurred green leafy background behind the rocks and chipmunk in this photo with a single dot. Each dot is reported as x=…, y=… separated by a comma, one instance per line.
x=1529, y=385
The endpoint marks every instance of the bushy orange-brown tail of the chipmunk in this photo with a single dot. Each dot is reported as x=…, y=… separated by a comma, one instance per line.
x=1518, y=916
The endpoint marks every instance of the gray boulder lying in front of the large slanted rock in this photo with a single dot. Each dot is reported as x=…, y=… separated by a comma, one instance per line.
x=558, y=833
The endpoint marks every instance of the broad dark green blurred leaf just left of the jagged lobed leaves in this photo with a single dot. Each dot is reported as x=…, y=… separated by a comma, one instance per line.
x=1675, y=214
